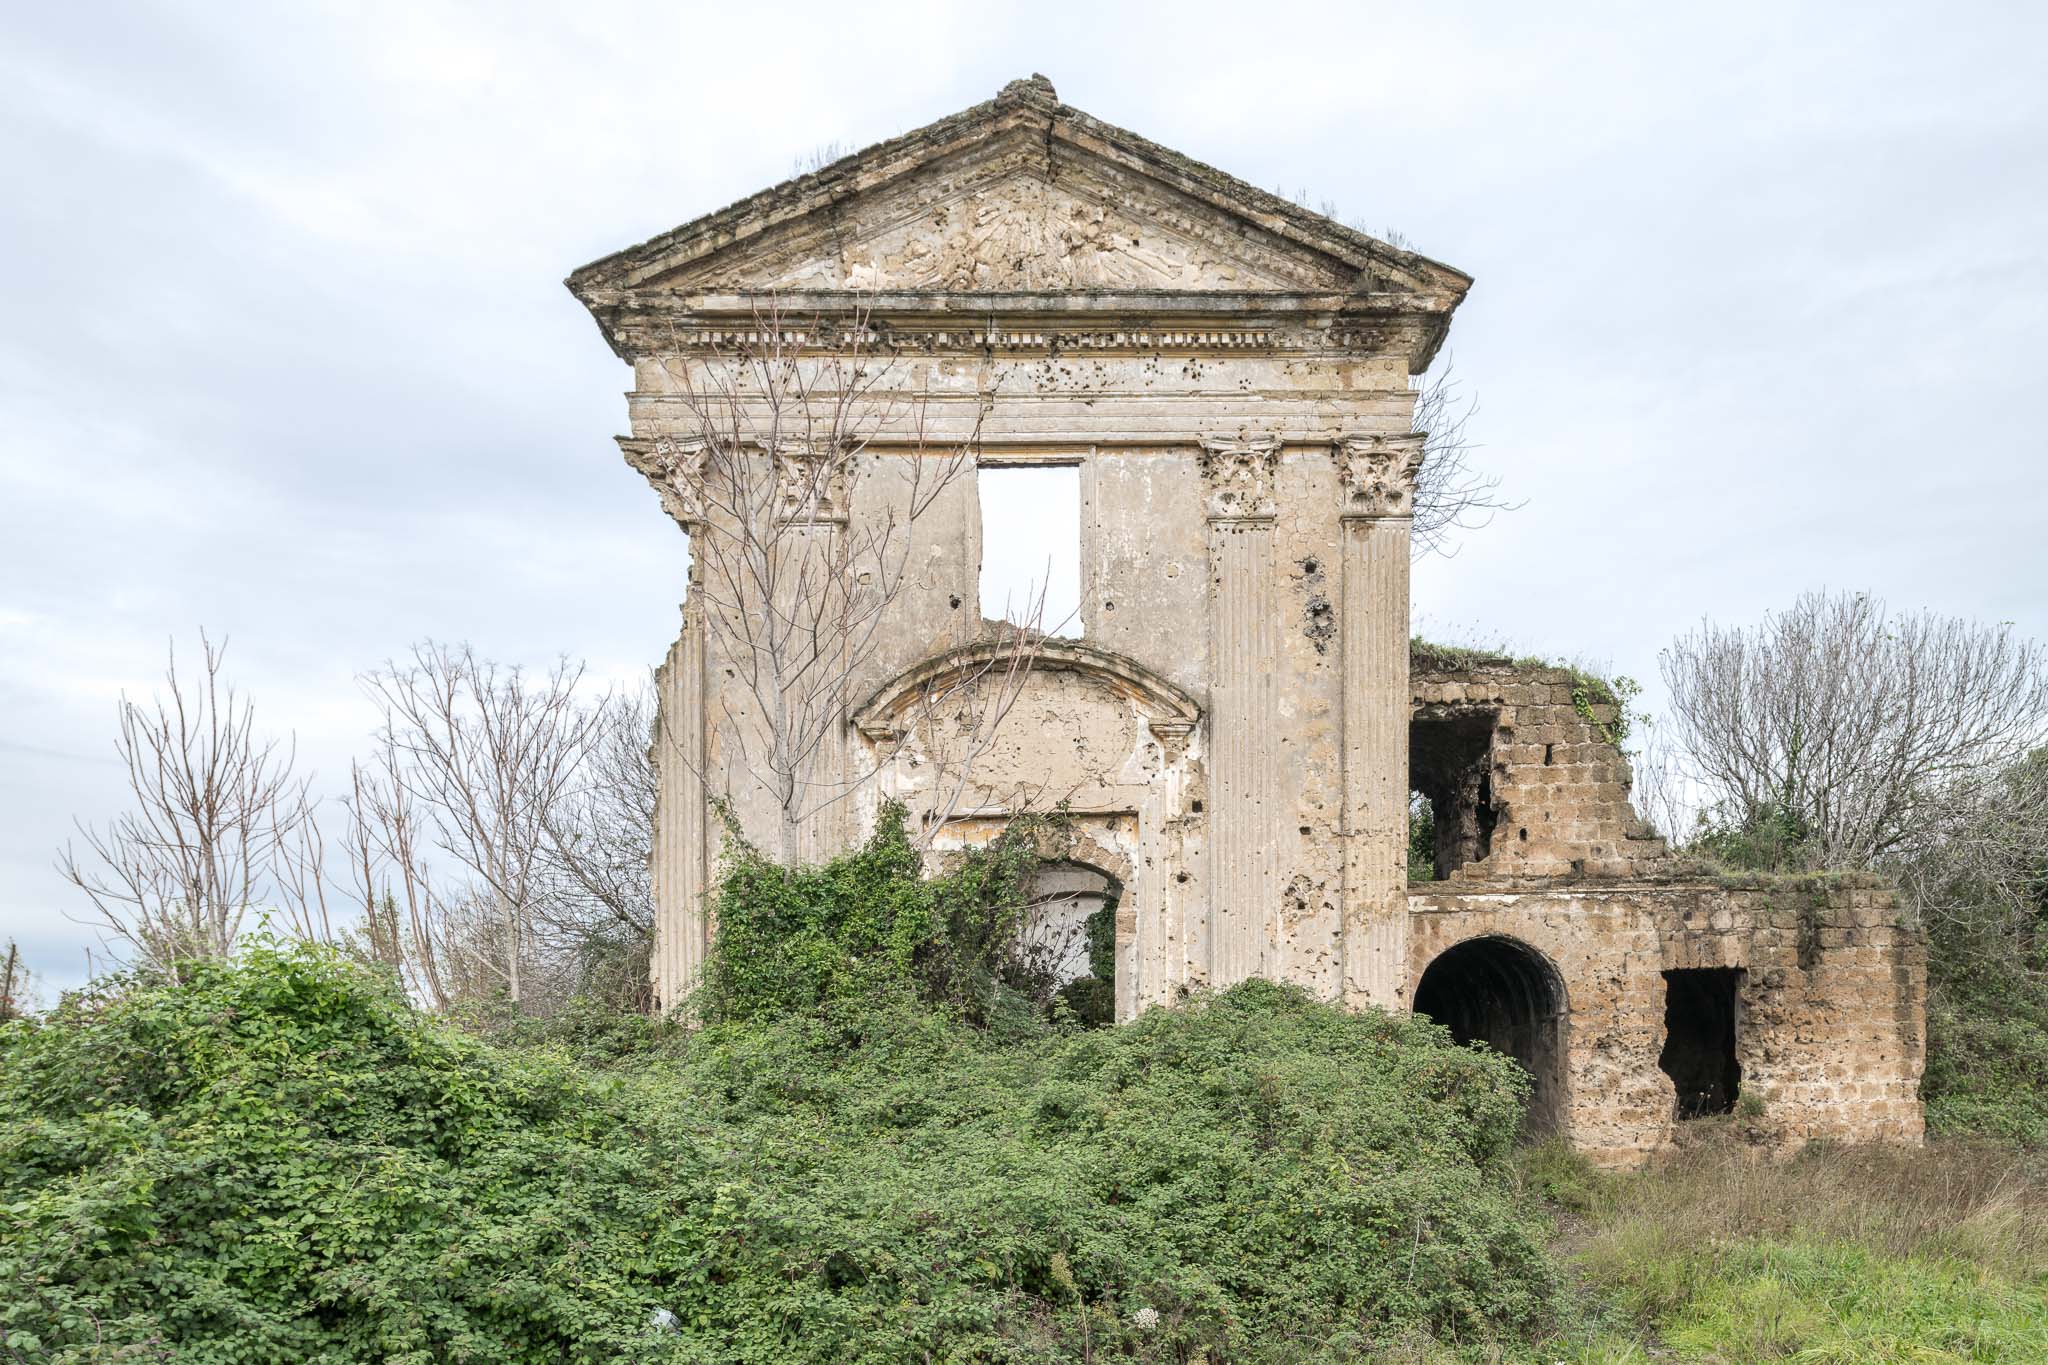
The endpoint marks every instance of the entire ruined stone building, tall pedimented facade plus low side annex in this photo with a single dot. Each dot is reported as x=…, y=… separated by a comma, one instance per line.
x=1238, y=723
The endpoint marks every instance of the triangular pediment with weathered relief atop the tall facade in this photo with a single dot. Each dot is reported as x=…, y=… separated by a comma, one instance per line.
x=1017, y=195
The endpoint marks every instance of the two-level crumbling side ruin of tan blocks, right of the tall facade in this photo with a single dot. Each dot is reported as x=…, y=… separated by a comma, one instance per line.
x=1791, y=1006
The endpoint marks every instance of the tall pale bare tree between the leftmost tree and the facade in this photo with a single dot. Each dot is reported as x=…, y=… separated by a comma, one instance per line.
x=478, y=758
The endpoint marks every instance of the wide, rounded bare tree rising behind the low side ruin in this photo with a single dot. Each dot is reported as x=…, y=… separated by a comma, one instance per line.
x=1852, y=723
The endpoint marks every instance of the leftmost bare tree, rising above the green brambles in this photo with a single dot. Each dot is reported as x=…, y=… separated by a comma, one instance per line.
x=214, y=813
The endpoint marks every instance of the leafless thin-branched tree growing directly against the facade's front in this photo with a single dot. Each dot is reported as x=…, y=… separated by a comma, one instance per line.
x=794, y=590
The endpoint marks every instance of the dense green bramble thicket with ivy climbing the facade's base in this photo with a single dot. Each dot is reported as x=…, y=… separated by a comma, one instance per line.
x=873, y=1151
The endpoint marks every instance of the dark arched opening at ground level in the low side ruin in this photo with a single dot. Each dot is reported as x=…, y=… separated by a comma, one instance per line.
x=1506, y=996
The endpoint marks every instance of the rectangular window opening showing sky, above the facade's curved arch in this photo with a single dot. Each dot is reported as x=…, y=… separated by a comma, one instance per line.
x=1031, y=545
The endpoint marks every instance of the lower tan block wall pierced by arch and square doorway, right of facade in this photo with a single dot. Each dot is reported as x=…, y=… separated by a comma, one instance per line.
x=1830, y=1000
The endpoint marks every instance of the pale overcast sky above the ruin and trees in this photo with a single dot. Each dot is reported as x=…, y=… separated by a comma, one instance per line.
x=1762, y=306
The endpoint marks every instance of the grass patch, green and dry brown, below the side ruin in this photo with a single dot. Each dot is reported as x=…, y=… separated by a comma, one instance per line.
x=1834, y=1256
